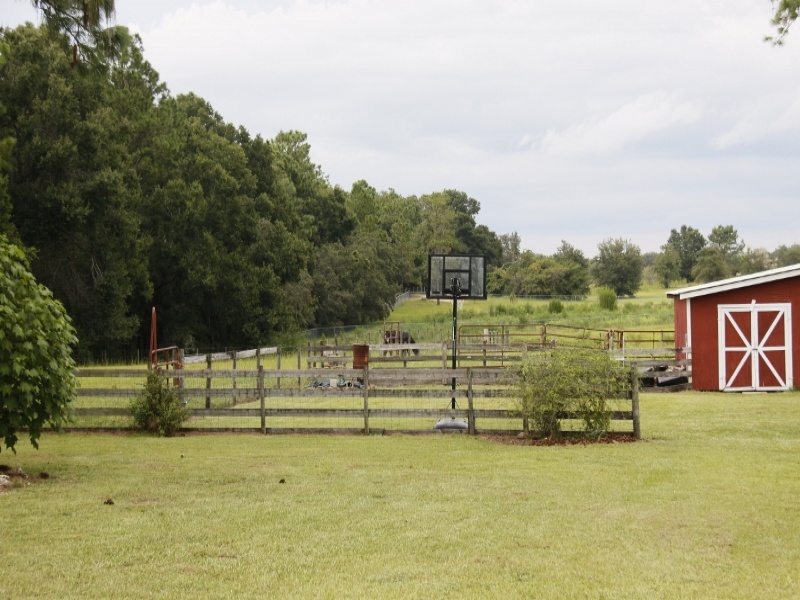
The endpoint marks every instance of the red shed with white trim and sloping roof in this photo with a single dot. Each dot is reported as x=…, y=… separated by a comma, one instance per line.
x=740, y=330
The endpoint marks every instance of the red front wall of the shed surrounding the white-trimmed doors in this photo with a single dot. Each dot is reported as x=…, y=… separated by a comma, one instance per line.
x=705, y=352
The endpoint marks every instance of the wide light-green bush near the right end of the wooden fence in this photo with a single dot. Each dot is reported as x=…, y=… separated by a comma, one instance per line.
x=555, y=385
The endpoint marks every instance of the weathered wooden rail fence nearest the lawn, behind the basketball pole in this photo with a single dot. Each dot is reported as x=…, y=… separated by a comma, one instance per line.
x=368, y=400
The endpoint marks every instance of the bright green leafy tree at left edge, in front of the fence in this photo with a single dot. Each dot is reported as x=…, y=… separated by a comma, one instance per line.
x=37, y=379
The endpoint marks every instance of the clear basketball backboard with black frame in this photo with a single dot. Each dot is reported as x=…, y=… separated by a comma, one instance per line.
x=467, y=272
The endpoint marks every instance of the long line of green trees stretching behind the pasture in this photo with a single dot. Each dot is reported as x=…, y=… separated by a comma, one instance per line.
x=125, y=197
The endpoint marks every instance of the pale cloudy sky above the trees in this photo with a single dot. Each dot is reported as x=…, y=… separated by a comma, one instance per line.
x=580, y=122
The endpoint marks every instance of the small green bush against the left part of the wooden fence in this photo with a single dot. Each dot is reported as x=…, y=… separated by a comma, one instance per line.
x=158, y=409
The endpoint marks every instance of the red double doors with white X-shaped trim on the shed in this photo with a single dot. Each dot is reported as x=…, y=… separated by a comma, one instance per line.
x=755, y=347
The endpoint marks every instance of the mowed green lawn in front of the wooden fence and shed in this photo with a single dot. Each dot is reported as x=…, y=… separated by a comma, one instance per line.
x=707, y=506
